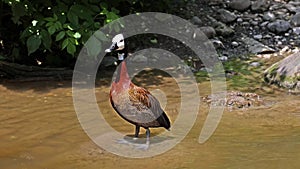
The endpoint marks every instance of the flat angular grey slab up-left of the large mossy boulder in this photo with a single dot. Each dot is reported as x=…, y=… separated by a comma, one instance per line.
x=254, y=46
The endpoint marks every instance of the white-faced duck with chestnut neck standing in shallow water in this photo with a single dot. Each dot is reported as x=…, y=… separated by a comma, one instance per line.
x=134, y=104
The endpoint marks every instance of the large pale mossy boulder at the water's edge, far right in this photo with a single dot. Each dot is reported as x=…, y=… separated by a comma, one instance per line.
x=285, y=73
